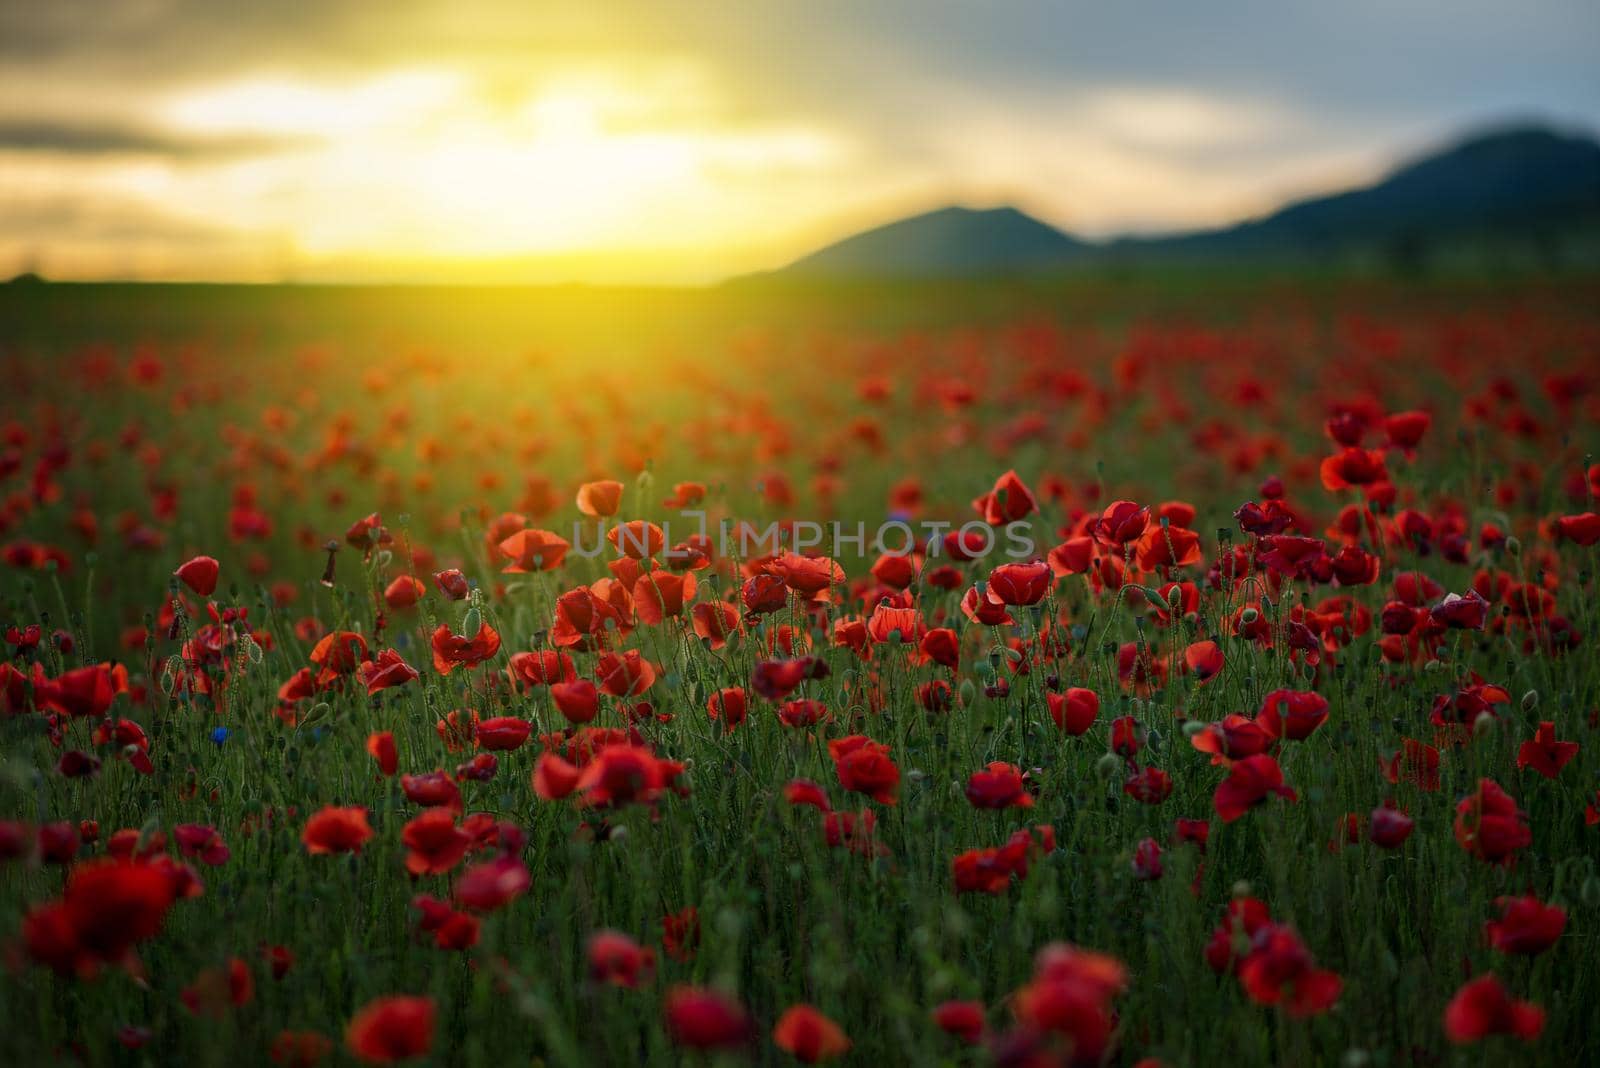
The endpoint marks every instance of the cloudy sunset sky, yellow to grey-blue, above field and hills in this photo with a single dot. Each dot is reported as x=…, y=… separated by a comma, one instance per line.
x=678, y=141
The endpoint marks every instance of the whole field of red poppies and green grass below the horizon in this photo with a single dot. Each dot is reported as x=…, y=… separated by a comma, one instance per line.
x=959, y=675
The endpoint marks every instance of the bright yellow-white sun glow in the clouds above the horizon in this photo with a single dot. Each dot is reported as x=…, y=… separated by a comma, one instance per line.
x=586, y=173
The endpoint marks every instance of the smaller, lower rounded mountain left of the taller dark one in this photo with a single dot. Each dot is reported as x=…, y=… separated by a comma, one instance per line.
x=946, y=244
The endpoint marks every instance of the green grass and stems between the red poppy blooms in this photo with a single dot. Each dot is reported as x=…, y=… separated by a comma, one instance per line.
x=727, y=388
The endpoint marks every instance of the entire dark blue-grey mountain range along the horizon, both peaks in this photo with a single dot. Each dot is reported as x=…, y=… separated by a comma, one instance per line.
x=1518, y=185
